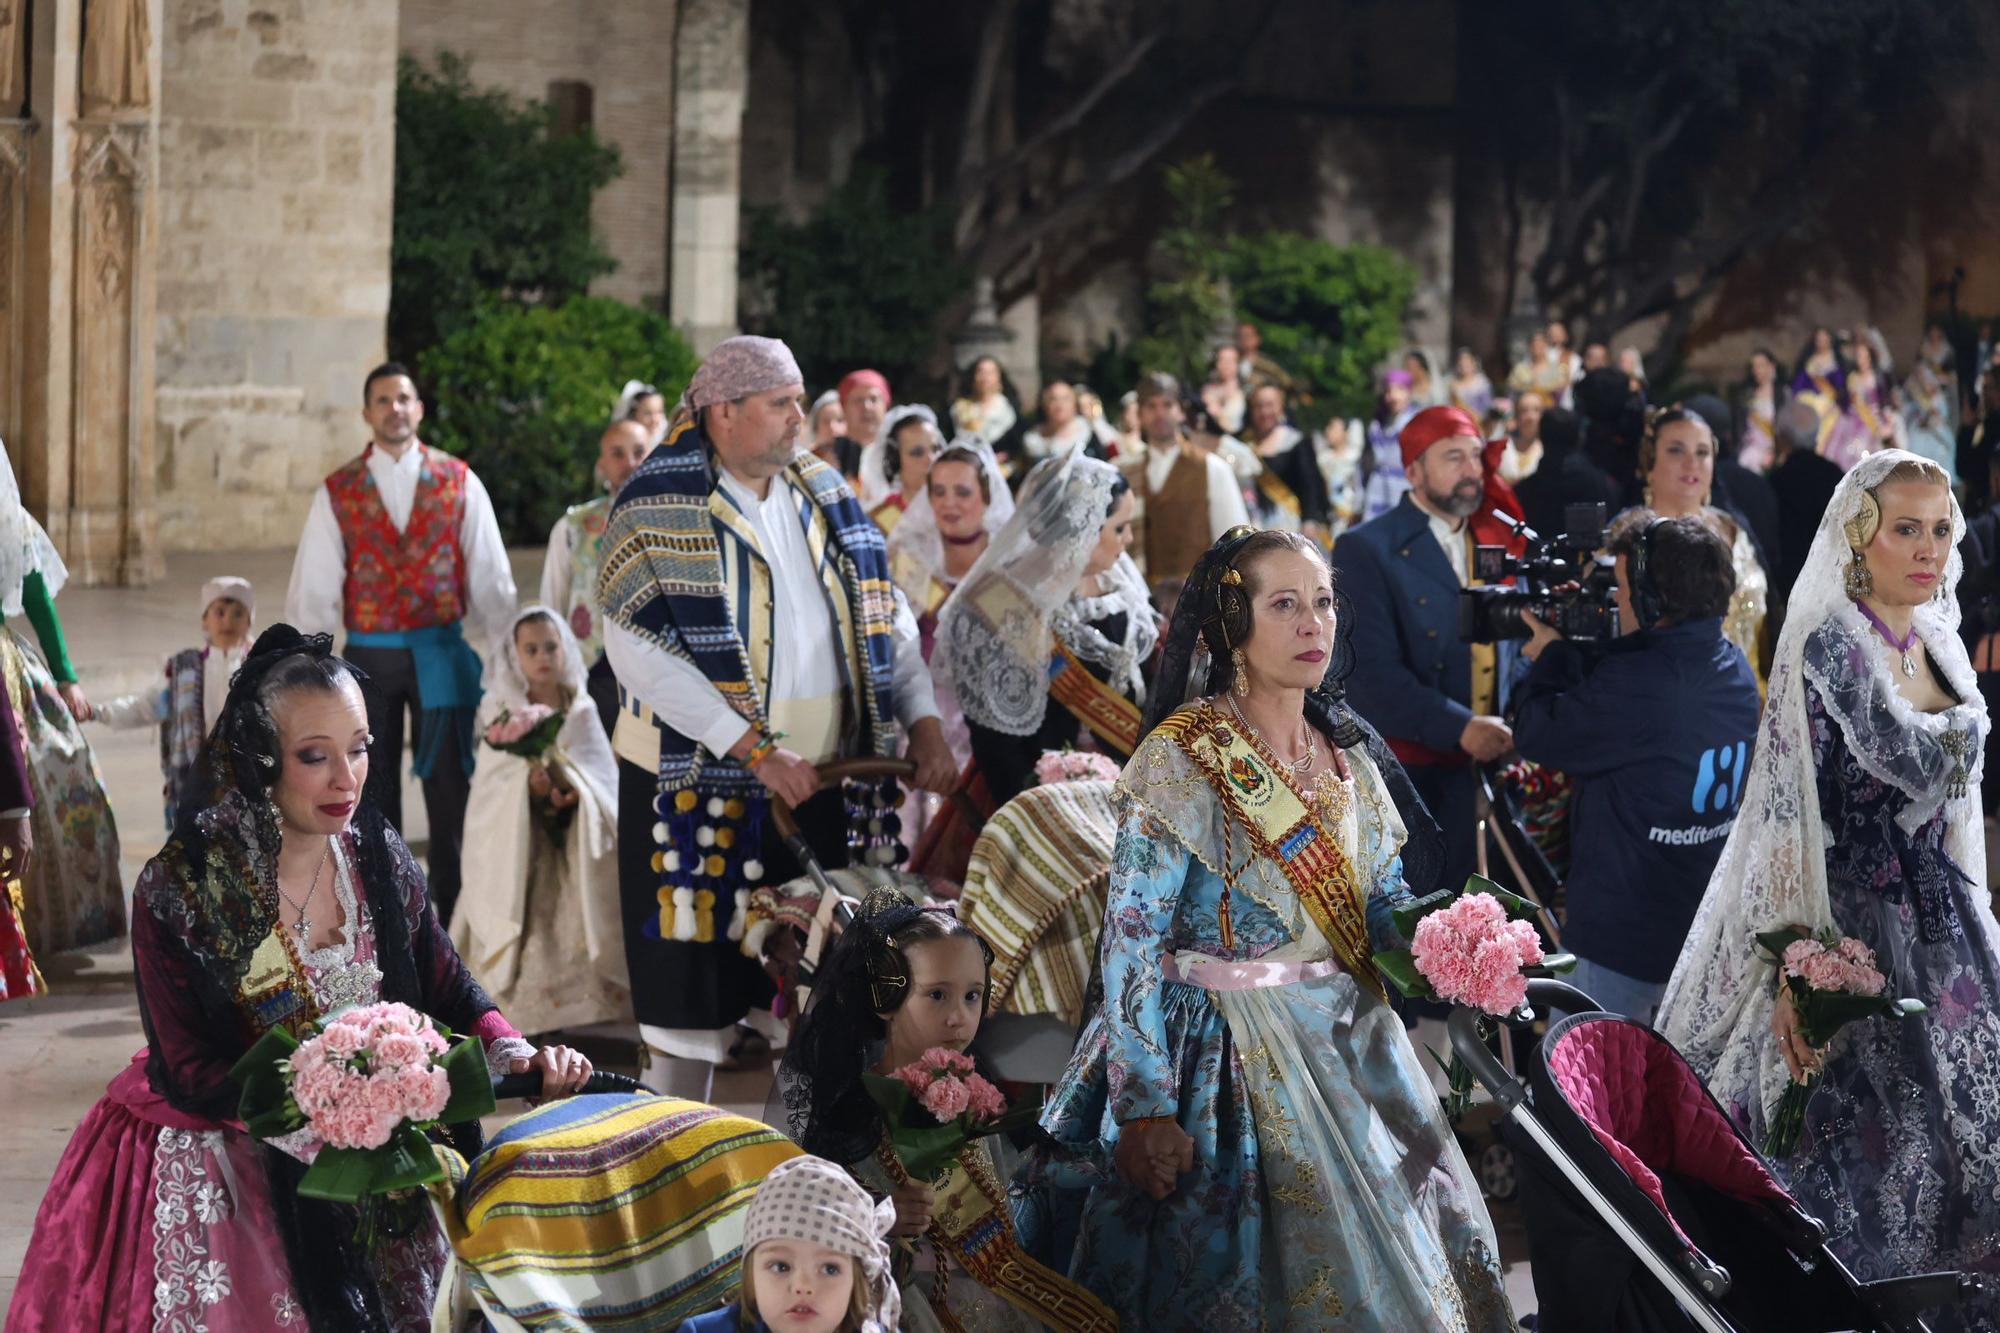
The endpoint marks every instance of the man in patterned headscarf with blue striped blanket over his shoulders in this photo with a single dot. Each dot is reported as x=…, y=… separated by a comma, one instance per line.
x=733, y=561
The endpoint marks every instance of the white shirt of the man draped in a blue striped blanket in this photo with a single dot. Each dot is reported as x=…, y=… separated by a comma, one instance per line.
x=805, y=655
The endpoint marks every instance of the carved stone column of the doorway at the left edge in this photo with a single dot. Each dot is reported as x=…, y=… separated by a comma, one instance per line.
x=83, y=287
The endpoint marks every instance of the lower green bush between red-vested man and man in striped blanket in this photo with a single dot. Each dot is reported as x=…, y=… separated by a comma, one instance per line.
x=523, y=395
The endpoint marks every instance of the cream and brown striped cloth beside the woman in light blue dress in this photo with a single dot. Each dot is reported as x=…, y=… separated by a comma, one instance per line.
x=1035, y=892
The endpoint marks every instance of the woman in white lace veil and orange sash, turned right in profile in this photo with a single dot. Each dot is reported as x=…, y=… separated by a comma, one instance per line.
x=1047, y=639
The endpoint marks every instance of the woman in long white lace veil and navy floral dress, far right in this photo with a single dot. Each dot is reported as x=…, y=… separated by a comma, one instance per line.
x=1861, y=816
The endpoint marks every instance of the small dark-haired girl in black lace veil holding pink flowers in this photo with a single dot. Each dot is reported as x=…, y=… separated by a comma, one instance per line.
x=901, y=998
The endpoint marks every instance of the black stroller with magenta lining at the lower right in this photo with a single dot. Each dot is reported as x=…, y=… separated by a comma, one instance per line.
x=1649, y=1212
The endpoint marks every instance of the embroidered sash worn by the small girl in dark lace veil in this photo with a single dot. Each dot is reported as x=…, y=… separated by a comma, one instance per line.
x=973, y=1224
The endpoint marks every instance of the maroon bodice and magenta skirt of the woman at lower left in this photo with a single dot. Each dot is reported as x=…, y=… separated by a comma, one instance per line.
x=163, y=1212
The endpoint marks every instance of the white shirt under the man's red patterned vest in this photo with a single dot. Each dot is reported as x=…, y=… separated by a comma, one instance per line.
x=321, y=567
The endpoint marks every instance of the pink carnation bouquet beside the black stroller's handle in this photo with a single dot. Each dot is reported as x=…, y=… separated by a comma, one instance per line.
x=1477, y=950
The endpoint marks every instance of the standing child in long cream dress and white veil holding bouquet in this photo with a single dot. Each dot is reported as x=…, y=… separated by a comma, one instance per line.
x=537, y=920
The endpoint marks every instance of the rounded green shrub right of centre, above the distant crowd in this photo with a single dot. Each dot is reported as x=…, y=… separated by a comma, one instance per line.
x=1331, y=315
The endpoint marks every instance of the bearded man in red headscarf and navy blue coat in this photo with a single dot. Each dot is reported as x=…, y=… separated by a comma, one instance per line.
x=1433, y=698
